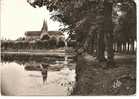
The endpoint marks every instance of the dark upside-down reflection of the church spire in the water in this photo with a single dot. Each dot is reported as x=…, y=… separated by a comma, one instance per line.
x=44, y=69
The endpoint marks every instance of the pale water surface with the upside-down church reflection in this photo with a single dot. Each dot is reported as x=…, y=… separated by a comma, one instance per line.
x=37, y=77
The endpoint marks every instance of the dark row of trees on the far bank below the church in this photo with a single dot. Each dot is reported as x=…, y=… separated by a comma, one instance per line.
x=39, y=44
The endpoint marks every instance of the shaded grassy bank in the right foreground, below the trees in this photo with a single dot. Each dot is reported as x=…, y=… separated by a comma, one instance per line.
x=94, y=78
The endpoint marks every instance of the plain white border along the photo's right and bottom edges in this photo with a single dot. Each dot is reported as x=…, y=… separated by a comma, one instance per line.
x=98, y=97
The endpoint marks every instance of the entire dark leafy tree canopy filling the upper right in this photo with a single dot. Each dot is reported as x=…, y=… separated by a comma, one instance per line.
x=90, y=19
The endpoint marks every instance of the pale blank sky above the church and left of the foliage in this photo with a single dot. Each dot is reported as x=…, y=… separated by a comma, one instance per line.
x=17, y=16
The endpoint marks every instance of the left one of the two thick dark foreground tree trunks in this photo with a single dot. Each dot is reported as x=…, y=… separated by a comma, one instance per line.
x=100, y=34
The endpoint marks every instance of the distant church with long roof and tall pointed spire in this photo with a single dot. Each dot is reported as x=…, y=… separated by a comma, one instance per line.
x=44, y=34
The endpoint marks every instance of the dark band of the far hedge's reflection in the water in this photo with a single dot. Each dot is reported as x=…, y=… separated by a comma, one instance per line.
x=23, y=58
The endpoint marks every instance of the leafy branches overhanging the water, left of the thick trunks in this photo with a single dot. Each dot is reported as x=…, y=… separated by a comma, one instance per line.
x=79, y=15
